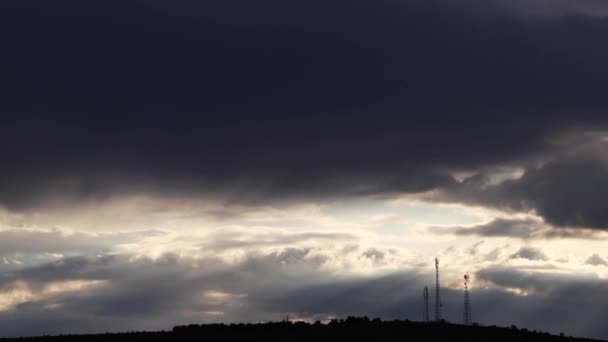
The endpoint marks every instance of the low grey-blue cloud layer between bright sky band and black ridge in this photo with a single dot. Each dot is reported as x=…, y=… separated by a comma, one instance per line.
x=141, y=293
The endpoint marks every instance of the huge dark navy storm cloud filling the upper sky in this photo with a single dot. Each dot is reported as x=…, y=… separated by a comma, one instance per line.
x=276, y=100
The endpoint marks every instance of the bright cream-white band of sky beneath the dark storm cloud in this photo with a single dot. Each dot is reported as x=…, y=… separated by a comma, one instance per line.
x=364, y=236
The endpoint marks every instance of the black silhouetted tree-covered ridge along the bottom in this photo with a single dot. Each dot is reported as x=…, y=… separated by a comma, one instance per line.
x=352, y=328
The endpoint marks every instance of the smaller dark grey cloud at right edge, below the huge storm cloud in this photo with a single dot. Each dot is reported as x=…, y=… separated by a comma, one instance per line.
x=566, y=192
